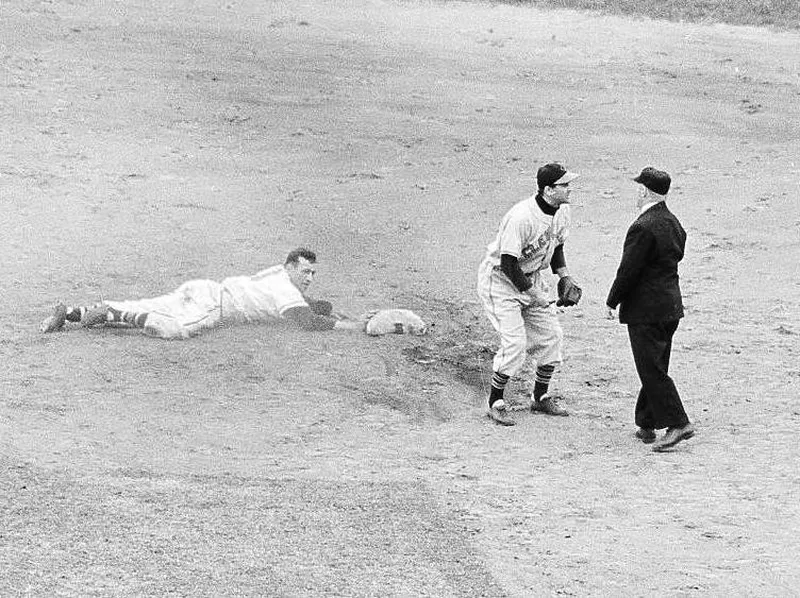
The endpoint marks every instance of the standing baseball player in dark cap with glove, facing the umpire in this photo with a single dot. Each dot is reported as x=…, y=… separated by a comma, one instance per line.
x=514, y=288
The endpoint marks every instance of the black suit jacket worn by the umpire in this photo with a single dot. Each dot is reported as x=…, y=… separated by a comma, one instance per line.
x=646, y=286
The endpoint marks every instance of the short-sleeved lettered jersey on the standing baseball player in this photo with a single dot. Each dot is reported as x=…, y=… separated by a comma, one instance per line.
x=530, y=235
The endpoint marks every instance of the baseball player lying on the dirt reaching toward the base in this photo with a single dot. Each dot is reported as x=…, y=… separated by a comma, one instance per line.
x=275, y=293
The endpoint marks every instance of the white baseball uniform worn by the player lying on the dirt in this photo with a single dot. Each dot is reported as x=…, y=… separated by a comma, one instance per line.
x=203, y=304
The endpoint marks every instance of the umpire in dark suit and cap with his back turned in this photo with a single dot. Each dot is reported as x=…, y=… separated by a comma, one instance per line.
x=647, y=290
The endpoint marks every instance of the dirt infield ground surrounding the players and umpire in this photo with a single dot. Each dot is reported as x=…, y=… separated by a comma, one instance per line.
x=146, y=145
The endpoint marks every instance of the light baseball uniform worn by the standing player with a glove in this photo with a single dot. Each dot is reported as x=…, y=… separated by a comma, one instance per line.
x=531, y=236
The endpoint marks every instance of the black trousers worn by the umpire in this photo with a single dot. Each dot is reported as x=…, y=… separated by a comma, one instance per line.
x=659, y=404
